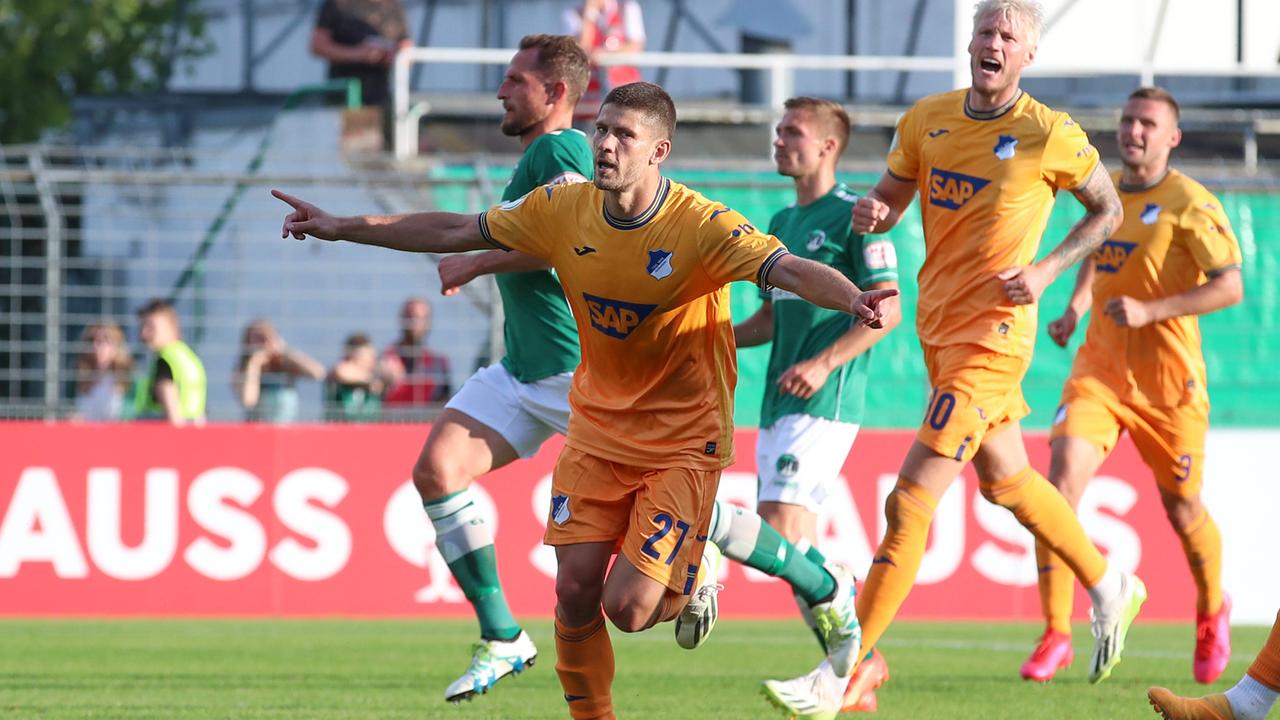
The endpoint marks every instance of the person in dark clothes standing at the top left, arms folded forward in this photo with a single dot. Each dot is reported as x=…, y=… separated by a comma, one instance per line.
x=360, y=39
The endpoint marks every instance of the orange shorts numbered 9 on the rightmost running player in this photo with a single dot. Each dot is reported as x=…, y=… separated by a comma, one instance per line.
x=1171, y=440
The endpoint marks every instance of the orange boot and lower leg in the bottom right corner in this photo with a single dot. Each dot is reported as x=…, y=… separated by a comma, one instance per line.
x=1250, y=700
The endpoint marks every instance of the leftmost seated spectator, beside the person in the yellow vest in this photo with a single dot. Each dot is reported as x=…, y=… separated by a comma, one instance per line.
x=103, y=372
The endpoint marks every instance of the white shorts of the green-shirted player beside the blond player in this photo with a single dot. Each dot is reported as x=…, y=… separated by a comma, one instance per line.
x=799, y=457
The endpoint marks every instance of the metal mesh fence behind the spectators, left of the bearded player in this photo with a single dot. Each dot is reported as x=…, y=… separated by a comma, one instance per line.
x=90, y=235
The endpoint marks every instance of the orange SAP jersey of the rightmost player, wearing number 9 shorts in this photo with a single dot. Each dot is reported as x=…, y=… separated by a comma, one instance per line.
x=1173, y=235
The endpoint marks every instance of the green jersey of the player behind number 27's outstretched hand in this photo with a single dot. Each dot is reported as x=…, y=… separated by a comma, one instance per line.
x=822, y=233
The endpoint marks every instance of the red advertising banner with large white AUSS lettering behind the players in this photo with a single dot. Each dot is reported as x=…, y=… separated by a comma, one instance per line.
x=319, y=521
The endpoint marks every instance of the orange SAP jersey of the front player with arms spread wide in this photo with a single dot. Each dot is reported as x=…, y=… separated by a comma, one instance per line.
x=651, y=299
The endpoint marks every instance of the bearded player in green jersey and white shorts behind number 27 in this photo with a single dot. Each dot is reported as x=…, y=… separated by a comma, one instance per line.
x=509, y=409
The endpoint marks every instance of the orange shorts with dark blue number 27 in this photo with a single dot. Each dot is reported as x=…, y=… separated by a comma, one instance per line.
x=659, y=520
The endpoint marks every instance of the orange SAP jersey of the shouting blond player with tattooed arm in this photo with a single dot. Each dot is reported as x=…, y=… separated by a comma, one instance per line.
x=988, y=188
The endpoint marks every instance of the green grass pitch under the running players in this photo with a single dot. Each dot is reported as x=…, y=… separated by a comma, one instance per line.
x=330, y=669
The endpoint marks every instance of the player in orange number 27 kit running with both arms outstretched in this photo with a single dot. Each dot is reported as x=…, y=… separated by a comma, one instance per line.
x=644, y=263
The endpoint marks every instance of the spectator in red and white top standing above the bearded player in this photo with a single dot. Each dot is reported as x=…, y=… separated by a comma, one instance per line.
x=605, y=28
